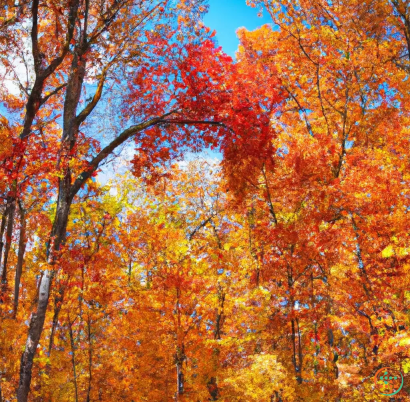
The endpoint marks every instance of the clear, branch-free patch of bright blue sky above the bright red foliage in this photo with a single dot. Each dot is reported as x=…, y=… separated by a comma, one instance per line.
x=226, y=16
